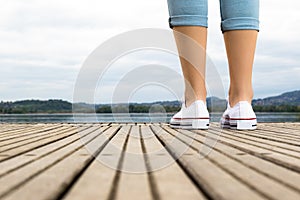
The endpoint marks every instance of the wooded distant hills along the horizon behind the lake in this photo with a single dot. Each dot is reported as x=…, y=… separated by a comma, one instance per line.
x=286, y=102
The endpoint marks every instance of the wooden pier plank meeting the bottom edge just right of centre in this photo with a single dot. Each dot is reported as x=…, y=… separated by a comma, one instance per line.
x=162, y=167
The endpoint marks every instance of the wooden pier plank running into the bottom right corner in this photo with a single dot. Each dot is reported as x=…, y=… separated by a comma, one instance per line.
x=255, y=180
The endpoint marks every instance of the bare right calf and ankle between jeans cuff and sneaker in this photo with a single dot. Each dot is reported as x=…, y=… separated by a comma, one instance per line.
x=240, y=47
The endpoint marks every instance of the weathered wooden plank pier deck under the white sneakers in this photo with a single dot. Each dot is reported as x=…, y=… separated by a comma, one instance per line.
x=148, y=161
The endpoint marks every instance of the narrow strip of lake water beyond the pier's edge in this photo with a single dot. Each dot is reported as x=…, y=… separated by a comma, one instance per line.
x=133, y=117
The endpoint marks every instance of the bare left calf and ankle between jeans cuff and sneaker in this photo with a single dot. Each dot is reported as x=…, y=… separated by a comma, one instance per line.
x=194, y=75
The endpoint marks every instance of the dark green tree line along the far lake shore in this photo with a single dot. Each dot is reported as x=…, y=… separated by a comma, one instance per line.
x=60, y=106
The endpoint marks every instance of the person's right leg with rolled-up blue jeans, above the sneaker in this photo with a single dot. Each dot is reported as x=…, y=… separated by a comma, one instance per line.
x=240, y=26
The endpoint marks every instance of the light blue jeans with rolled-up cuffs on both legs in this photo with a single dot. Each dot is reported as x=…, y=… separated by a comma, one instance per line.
x=235, y=14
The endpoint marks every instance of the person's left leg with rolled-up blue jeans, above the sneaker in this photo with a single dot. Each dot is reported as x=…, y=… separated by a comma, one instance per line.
x=189, y=17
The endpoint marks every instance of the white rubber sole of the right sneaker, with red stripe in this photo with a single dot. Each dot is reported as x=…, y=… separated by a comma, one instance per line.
x=239, y=124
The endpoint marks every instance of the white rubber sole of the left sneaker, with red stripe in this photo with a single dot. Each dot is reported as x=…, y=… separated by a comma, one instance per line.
x=190, y=123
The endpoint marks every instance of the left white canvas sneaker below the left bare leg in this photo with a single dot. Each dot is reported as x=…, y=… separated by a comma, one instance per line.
x=195, y=116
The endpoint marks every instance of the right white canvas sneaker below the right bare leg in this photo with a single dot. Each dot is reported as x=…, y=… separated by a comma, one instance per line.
x=240, y=117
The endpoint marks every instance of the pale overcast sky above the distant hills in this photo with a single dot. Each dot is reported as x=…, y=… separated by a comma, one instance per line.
x=44, y=44
